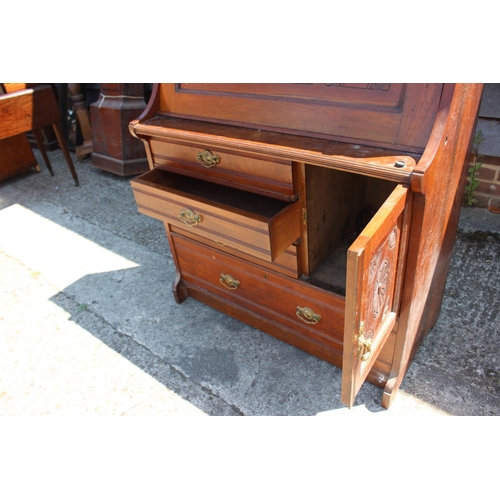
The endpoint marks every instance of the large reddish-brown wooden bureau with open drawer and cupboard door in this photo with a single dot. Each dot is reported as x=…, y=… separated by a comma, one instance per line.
x=322, y=214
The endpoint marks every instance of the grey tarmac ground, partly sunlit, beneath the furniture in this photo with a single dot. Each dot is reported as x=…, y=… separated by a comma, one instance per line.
x=89, y=326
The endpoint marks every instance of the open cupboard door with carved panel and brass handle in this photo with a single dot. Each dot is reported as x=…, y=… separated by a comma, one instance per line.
x=375, y=263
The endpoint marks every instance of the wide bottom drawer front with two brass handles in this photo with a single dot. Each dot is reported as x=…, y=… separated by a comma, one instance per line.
x=290, y=302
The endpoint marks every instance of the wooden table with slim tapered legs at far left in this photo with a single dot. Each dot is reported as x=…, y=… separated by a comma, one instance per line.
x=30, y=109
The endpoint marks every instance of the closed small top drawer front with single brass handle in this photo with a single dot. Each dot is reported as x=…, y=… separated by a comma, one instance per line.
x=270, y=178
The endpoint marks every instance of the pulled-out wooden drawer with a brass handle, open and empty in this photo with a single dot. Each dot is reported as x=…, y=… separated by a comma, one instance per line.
x=257, y=225
